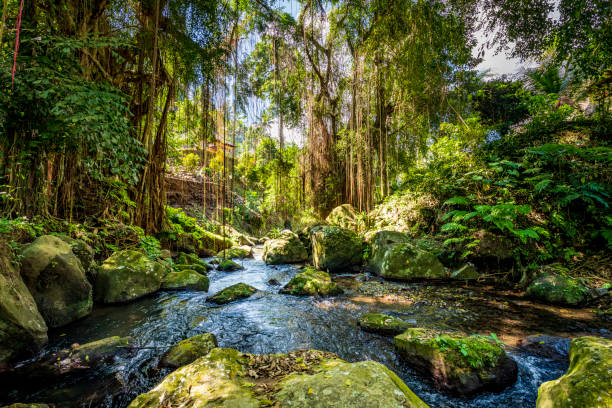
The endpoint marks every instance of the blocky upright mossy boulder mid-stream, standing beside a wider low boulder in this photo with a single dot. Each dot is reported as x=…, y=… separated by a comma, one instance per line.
x=335, y=249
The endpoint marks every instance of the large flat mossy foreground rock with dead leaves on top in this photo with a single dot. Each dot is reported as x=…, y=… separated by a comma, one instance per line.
x=300, y=379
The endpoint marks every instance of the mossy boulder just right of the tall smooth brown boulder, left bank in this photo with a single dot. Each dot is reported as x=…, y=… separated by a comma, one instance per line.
x=127, y=275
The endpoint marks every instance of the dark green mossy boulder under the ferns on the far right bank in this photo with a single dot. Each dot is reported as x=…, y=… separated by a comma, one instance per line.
x=556, y=288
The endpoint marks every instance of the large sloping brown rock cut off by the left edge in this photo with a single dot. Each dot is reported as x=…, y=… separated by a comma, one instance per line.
x=23, y=330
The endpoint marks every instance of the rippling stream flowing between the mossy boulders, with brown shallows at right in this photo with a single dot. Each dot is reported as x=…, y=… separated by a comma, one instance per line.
x=269, y=322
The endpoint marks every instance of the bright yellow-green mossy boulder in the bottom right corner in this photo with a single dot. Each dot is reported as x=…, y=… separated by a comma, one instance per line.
x=588, y=381
